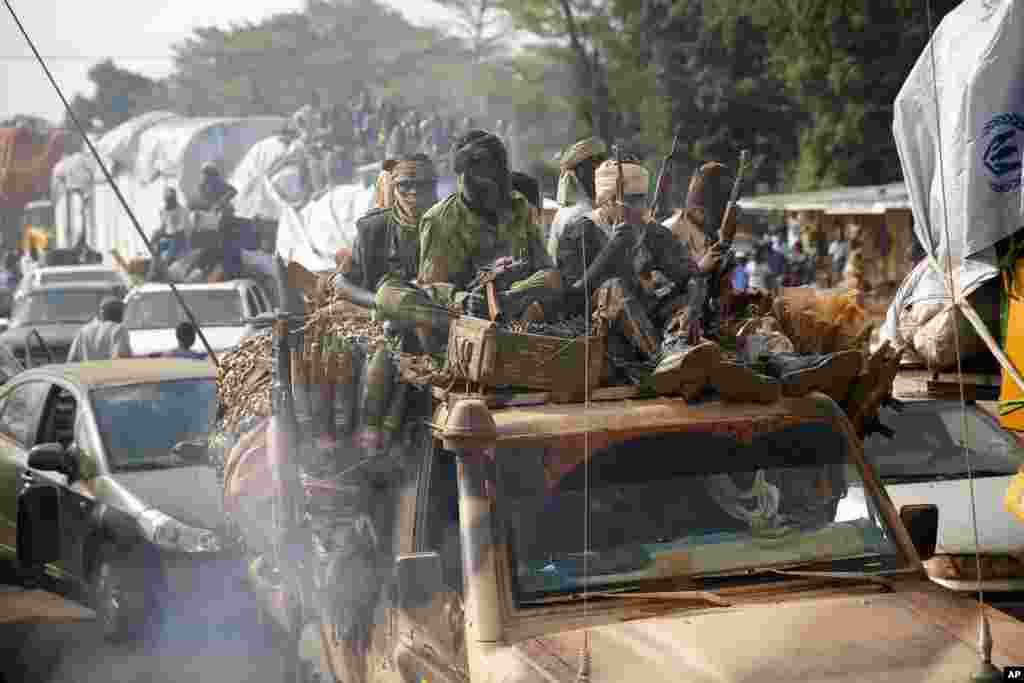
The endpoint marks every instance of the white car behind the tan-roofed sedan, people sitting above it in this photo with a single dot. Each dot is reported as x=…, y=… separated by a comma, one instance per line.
x=223, y=311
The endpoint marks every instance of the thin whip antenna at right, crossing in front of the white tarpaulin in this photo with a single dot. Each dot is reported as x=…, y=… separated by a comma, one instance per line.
x=987, y=671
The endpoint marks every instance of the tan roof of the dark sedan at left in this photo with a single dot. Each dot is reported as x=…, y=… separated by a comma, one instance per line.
x=124, y=372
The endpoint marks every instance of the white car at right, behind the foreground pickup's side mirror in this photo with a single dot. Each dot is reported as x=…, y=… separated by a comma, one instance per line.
x=925, y=463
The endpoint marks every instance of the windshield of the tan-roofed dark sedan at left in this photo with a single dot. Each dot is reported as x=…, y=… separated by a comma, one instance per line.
x=142, y=423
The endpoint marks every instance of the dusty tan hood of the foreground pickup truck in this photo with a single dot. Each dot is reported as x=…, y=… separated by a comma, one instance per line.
x=922, y=636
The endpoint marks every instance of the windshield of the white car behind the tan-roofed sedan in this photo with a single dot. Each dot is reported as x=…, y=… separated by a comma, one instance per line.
x=157, y=311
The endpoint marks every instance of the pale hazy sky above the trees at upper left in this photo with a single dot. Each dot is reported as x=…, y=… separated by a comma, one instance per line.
x=138, y=34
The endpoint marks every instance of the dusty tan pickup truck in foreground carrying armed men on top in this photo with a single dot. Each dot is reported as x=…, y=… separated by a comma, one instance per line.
x=649, y=540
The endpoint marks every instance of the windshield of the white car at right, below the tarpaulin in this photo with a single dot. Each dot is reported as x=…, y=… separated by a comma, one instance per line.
x=927, y=444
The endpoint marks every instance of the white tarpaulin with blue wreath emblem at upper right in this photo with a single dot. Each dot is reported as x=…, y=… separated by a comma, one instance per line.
x=959, y=131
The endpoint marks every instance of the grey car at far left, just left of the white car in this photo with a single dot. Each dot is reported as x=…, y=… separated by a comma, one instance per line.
x=54, y=314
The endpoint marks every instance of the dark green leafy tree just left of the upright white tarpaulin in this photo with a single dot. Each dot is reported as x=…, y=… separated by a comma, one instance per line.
x=843, y=63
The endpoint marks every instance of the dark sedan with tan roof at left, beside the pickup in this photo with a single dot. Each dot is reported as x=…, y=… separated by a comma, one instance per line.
x=117, y=451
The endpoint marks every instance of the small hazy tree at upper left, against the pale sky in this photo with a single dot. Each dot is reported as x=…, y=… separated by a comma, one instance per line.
x=119, y=96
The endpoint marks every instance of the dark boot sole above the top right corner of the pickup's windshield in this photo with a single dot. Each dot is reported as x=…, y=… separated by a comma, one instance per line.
x=832, y=374
